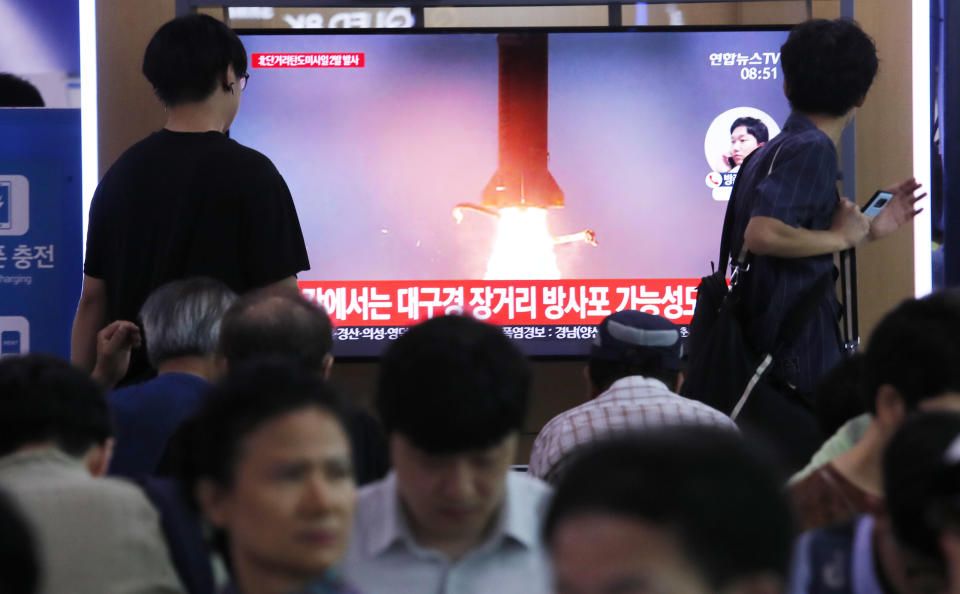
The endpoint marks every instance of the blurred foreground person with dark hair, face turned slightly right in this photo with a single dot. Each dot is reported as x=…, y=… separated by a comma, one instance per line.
x=269, y=466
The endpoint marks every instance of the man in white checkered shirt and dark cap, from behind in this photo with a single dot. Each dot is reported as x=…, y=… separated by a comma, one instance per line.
x=634, y=370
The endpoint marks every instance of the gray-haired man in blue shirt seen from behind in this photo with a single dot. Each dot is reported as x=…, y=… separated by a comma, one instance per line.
x=181, y=325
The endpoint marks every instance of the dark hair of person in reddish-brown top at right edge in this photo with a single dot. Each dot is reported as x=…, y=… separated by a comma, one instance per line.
x=915, y=350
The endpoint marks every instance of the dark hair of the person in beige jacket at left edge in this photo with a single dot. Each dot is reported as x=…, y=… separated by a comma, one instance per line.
x=43, y=398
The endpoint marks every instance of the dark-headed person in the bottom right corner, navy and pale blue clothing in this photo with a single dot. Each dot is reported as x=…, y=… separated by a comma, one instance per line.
x=899, y=551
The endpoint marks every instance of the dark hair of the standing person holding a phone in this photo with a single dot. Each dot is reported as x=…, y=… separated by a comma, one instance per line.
x=828, y=66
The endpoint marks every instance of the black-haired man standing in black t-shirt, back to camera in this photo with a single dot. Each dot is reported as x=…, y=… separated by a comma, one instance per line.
x=187, y=200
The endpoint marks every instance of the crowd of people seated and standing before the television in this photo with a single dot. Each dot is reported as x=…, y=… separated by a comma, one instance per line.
x=195, y=445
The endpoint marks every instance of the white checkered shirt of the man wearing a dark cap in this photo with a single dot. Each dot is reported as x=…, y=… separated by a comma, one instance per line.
x=630, y=403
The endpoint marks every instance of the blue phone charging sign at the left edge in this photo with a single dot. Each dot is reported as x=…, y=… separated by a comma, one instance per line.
x=40, y=229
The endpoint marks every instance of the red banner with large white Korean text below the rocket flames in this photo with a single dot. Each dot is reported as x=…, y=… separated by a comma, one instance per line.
x=403, y=303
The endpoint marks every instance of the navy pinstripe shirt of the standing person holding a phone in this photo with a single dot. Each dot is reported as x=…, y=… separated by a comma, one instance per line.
x=801, y=191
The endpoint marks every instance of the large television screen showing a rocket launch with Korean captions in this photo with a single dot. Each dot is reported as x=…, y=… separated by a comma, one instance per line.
x=537, y=179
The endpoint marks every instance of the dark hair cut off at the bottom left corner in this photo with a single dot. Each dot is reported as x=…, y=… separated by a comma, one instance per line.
x=20, y=571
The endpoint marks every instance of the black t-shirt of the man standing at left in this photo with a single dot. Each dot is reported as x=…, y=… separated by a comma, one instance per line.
x=182, y=204
